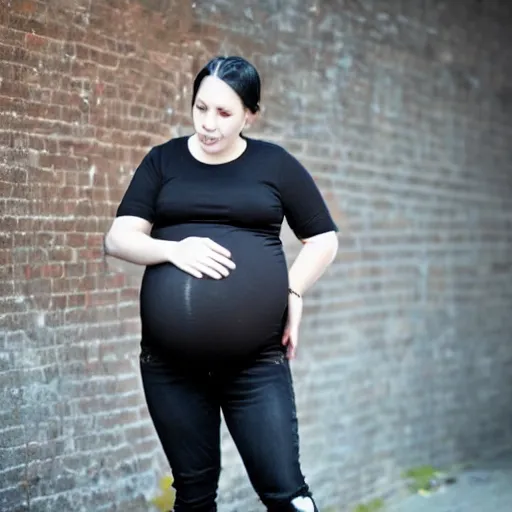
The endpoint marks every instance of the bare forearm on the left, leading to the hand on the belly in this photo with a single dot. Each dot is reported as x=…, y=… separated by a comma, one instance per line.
x=138, y=248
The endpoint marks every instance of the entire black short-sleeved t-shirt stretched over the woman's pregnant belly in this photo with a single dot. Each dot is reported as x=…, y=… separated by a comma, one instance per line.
x=240, y=205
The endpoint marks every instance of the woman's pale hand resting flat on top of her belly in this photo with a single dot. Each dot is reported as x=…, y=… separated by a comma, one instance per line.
x=201, y=256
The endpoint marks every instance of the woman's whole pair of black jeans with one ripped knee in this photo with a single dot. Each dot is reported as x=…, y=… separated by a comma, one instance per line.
x=258, y=405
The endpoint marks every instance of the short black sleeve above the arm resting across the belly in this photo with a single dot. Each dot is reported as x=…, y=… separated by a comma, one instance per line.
x=140, y=197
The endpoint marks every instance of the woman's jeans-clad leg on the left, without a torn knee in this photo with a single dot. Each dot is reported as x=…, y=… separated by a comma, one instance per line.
x=186, y=414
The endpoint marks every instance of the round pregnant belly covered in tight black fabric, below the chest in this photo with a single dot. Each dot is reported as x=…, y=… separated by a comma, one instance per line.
x=233, y=317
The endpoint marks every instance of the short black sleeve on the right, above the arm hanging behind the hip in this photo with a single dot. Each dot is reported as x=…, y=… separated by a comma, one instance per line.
x=304, y=207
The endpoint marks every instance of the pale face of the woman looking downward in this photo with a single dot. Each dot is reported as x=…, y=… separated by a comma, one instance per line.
x=219, y=115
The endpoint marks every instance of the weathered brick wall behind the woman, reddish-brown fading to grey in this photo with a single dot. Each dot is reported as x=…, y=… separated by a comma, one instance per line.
x=402, y=111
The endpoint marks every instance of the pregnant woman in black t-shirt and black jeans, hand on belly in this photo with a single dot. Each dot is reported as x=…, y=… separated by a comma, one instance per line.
x=220, y=312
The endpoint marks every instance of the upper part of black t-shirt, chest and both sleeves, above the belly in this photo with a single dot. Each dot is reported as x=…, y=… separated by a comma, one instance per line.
x=256, y=190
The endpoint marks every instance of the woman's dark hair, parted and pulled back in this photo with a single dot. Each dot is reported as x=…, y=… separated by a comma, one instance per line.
x=239, y=74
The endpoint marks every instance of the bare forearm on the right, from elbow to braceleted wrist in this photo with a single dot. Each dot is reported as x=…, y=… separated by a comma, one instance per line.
x=314, y=258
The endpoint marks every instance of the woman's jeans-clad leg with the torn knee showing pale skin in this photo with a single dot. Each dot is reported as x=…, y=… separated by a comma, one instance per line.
x=259, y=408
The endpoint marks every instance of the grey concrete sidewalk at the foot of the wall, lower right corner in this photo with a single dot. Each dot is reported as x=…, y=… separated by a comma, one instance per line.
x=485, y=487
